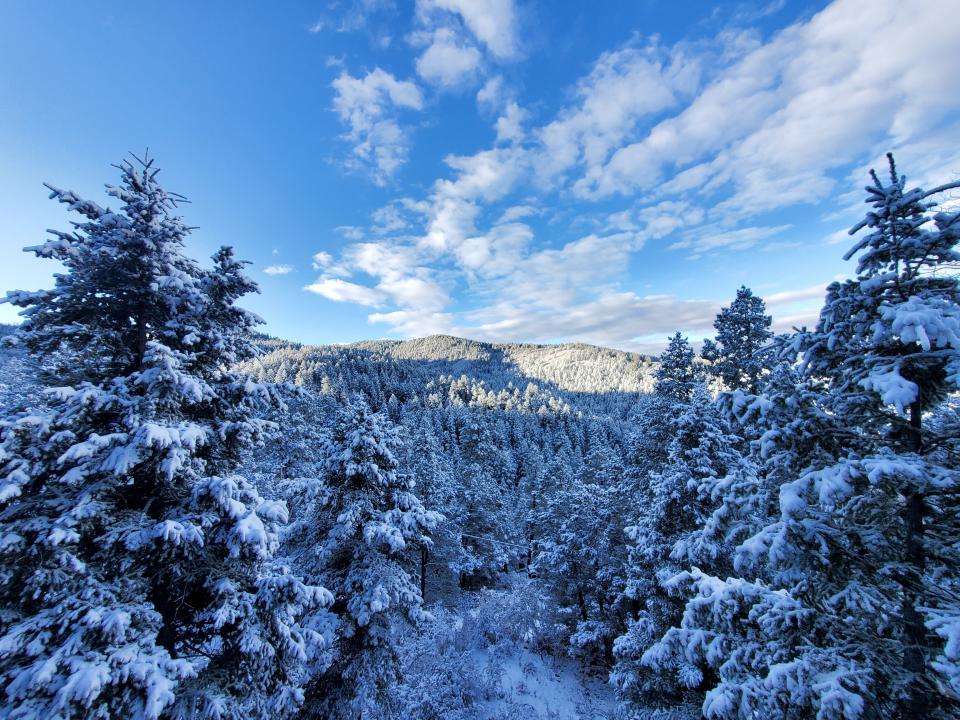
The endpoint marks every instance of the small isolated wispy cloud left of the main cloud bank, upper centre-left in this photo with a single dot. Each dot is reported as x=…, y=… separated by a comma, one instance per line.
x=368, y=105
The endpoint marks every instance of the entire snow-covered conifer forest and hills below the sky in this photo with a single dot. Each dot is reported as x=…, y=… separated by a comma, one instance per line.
x=197, y=521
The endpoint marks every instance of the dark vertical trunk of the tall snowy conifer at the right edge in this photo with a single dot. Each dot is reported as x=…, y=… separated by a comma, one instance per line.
x=914, y=631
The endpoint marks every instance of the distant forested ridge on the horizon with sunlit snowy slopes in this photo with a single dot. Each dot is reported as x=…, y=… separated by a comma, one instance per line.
x=561, y=378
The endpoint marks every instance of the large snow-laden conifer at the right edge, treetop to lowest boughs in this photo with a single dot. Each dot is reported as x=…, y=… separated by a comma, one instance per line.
x=862, y=560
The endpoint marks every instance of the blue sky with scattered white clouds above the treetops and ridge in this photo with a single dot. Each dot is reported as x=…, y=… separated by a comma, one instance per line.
x=506, y=170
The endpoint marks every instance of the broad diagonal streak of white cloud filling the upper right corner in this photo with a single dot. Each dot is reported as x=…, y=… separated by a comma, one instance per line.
x=771, y=127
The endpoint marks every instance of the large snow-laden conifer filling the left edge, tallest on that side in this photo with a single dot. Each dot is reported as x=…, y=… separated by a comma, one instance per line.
x=133, y=561
